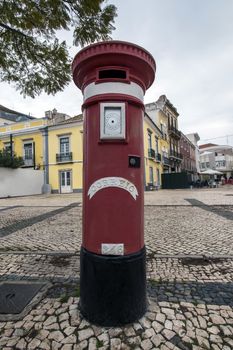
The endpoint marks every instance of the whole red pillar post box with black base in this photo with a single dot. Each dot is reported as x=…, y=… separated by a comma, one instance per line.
x=113, y=77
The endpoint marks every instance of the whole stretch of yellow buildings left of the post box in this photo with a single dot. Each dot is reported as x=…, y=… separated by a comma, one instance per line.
x=52, y=144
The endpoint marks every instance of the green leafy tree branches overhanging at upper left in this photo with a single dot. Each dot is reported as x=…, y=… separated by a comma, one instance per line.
x=31, y=56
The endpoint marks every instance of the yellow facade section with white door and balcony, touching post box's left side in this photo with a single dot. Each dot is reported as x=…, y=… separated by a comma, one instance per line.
x=65, y=156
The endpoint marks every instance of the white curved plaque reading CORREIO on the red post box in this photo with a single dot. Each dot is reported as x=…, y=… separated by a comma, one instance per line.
x=119, y=182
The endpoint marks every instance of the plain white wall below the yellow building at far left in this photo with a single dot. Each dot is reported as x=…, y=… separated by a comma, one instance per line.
x=20, y=182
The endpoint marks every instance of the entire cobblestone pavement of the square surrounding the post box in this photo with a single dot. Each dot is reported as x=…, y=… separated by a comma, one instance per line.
x=189, y=273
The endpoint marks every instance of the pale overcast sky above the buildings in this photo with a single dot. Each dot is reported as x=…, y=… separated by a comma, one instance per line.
x=192, y=43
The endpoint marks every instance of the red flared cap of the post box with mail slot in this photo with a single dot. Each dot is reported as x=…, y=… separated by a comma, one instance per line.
x=113, y=61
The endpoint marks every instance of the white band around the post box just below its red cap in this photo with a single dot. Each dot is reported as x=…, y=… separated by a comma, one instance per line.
x=131, y=89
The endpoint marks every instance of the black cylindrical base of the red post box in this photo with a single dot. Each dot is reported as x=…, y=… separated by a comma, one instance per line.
x=112, y=288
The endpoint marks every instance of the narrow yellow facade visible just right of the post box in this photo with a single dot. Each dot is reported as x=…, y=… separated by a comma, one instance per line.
x=152, y=154
